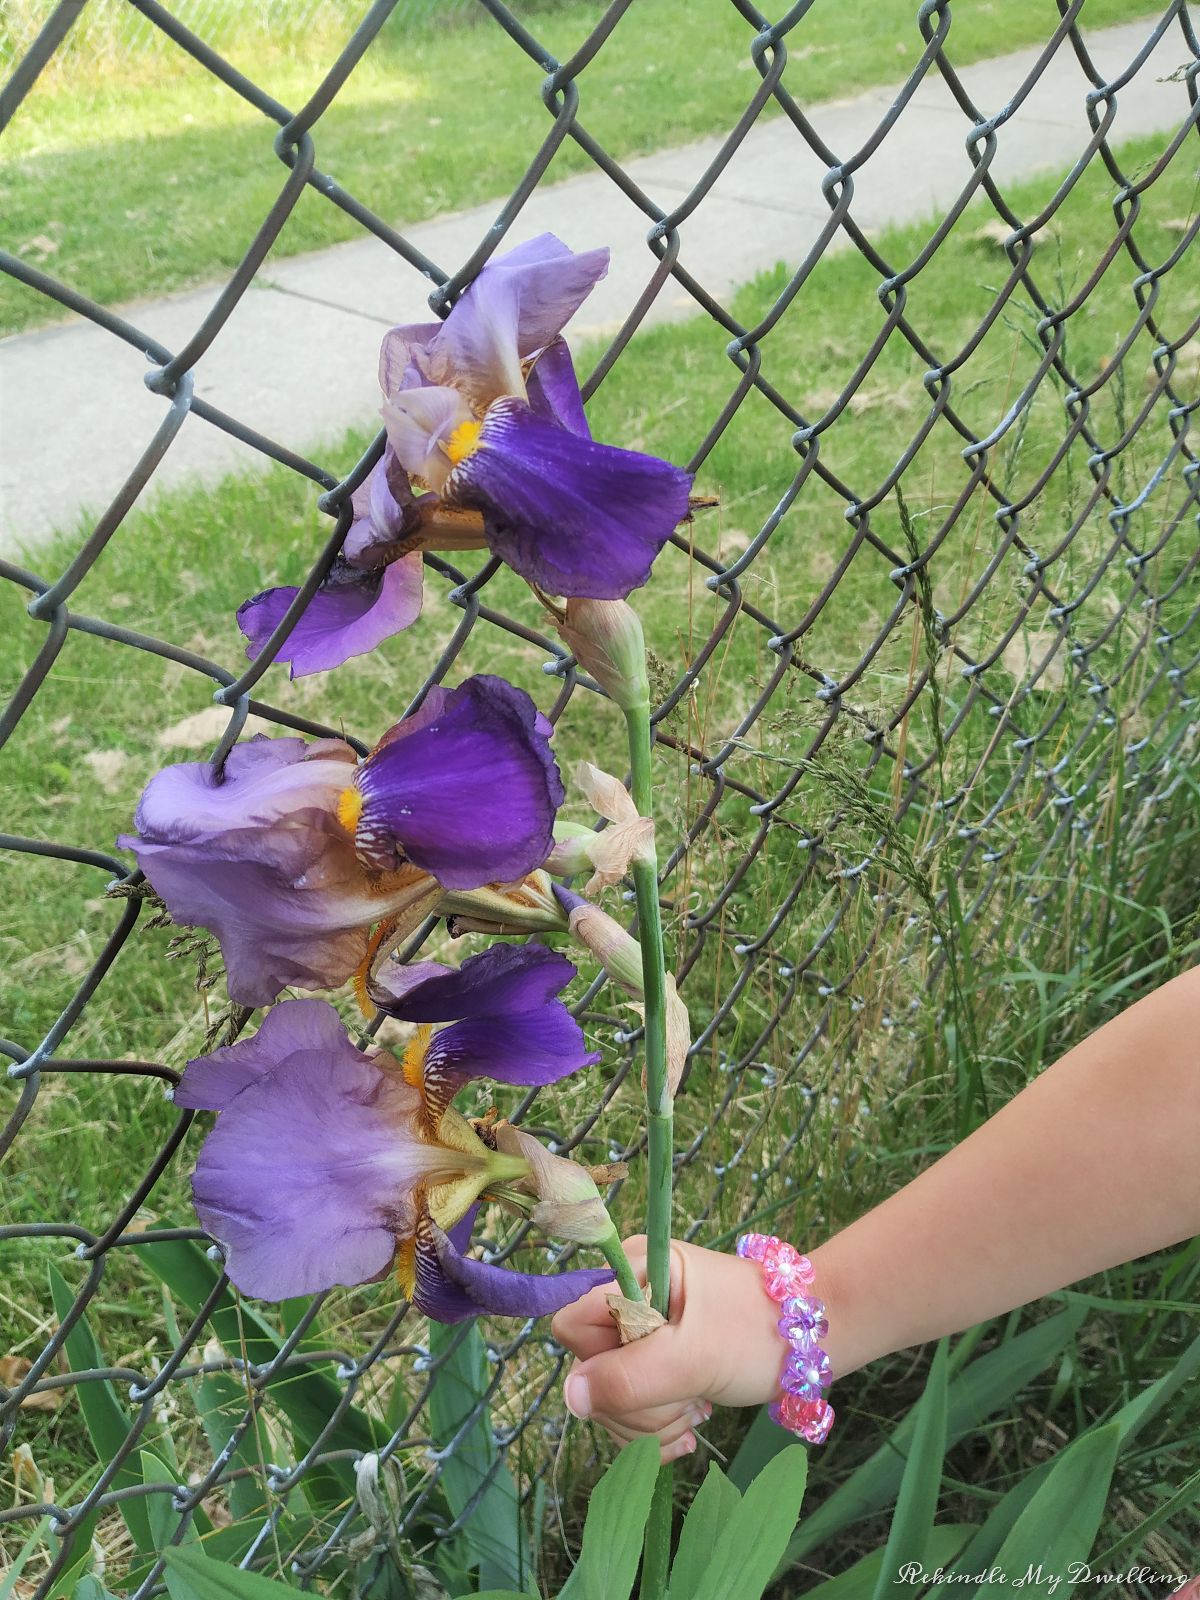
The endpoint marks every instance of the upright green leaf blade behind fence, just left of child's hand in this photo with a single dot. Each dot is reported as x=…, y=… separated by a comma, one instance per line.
x=494, y=1530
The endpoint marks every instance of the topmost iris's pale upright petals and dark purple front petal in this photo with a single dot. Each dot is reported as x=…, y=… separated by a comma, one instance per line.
x=486, y=410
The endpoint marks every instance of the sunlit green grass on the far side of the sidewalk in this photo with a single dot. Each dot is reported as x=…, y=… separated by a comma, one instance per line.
x=148, y=175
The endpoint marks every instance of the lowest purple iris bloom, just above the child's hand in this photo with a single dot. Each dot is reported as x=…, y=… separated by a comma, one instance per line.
x=334, y=1167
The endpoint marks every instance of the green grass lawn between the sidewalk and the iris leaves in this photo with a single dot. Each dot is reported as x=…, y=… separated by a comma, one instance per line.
x=1052, y=927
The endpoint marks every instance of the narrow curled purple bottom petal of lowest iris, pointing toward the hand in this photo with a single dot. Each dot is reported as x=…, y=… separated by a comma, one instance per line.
x=452, y=1287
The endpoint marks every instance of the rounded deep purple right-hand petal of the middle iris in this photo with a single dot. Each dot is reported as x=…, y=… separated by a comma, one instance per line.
x=470, y=798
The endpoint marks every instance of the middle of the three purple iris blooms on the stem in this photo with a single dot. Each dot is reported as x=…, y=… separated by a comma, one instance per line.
x=302, y=850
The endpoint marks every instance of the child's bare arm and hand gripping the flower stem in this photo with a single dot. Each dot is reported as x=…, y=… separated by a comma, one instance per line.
x=1094, y=1164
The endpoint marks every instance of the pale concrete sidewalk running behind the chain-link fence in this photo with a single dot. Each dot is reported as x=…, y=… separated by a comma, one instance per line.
x=298, y=358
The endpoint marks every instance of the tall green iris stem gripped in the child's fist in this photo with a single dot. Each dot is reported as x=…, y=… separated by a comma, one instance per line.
x=660, y=1114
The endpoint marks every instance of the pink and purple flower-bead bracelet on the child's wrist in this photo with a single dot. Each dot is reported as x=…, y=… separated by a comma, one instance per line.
x=807, y=1375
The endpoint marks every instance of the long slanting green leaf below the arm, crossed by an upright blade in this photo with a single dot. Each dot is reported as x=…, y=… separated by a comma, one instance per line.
x=977, y=1393
